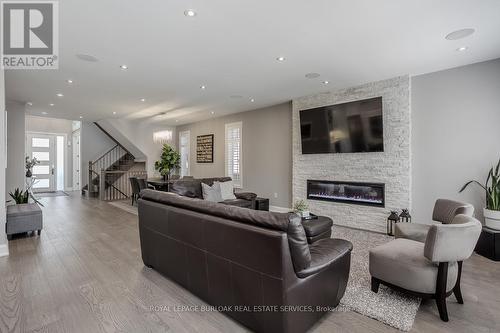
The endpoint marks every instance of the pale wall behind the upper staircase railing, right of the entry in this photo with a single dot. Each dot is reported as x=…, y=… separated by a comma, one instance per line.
x=93, y=144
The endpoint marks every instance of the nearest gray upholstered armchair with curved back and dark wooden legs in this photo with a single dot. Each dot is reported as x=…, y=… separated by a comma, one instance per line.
x=431, y=269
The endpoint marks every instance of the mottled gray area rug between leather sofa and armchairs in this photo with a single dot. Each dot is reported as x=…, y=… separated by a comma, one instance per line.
x=388, y=306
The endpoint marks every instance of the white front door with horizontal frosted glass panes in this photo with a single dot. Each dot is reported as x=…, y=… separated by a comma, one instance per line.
x=42, y=147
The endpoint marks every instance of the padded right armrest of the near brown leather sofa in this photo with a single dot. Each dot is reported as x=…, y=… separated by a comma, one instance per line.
x=323, y=253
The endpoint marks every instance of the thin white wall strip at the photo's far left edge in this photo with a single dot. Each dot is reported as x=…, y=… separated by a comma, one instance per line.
x=4, y=249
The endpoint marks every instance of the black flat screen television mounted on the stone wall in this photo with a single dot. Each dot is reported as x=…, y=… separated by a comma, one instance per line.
x=352, y=127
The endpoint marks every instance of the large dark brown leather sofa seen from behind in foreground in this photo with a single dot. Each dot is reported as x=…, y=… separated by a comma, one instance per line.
x=257, y=265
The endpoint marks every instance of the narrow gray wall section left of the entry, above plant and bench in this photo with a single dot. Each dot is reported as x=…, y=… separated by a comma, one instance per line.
x=16, y=172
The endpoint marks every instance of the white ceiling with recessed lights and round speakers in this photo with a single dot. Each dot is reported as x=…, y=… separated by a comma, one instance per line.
x=231, y=47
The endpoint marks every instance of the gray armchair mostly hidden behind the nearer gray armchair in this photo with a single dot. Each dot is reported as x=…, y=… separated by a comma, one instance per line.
x=444, y=212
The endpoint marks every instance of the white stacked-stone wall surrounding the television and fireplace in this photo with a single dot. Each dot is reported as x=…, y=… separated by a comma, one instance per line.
x=392, y=167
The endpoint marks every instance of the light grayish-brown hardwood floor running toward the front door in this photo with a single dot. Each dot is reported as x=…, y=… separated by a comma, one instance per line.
x=85, y=274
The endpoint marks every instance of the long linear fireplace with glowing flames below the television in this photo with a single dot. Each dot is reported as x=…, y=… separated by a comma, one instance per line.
x=372, y=194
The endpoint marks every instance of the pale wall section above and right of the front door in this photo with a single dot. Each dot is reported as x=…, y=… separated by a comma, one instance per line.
x=56, y=126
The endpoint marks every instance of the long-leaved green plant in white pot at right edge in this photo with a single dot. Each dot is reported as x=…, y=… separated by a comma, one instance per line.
x=492, y=189
